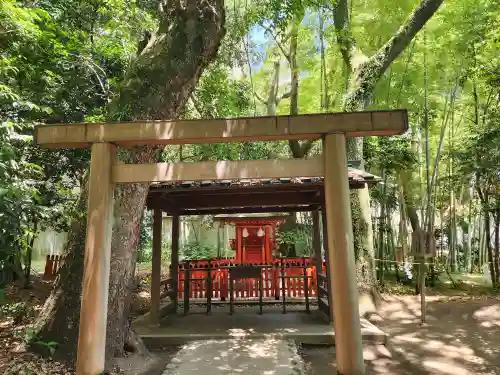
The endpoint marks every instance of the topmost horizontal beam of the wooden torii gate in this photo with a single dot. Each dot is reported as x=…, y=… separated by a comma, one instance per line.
x=243, y=129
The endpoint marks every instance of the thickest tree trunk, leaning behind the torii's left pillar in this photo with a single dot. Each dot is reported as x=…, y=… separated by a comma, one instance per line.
x=156, y=86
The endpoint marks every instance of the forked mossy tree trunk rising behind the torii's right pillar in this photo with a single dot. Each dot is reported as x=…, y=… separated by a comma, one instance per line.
x=365, y=73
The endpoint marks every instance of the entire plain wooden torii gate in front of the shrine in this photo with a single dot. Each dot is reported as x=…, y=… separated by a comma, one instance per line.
x=105, y=172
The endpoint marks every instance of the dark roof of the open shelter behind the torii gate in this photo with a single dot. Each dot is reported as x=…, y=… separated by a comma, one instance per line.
x=248, y=196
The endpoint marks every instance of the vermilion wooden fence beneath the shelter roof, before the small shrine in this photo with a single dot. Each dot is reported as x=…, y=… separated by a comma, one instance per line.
x=272, y=279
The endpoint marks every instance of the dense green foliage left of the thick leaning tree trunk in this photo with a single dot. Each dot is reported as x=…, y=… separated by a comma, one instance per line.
x=59, y=62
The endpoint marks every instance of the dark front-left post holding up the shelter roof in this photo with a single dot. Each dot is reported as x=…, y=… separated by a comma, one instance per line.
x=156, y=266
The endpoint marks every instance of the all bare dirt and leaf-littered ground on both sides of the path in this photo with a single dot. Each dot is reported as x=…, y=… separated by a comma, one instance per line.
x=462, y=337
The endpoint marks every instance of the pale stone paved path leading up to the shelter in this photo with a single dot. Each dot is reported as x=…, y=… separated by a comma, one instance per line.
x=267, y=356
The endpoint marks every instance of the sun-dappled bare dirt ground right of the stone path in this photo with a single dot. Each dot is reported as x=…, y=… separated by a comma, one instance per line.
x=461, y=337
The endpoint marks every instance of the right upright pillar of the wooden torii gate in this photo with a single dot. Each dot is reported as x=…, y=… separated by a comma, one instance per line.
x=342, y=280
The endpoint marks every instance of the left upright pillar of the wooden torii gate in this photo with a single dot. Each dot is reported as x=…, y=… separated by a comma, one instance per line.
x=94, y=307
